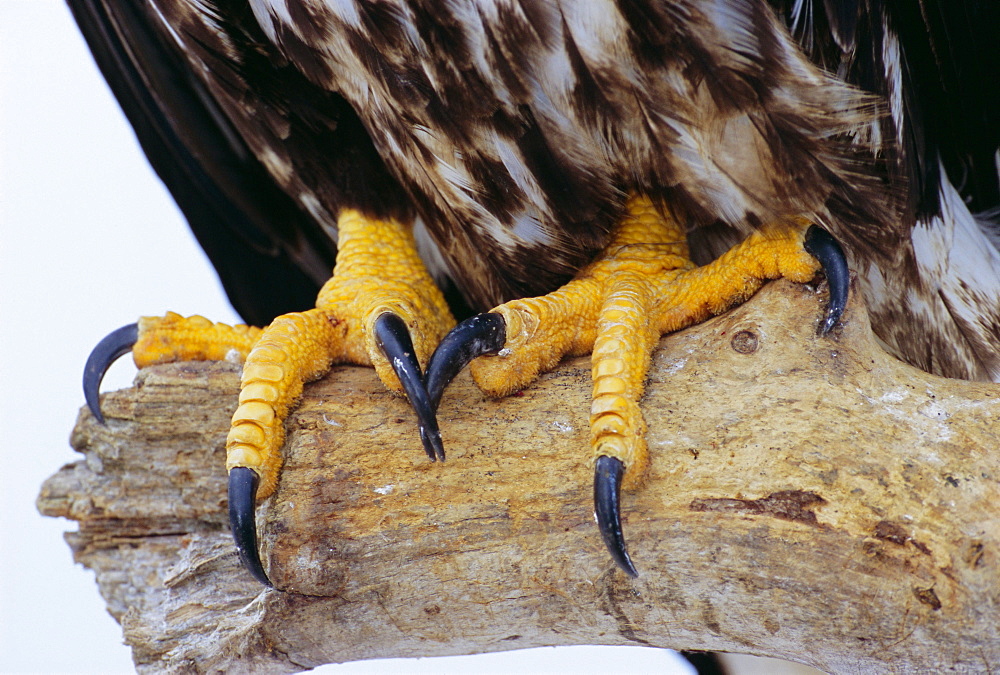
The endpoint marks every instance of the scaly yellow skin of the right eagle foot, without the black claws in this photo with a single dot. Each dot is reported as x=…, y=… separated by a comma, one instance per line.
x=643, y=285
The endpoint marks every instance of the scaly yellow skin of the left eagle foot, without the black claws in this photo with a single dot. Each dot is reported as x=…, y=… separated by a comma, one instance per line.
x=378, y=270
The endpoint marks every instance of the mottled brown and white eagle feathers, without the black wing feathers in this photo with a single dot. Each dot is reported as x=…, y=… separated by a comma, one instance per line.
x=514, y=129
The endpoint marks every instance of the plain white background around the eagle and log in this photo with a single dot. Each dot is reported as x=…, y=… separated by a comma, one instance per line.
x=89, y=241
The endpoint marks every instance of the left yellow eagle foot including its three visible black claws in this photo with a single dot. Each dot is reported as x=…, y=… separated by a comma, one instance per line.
x=380, y=308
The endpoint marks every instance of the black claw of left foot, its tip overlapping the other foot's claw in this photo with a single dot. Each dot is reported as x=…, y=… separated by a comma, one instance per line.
x=394, y=340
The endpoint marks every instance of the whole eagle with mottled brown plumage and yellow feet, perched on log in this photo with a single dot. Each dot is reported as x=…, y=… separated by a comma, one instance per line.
x=508, y=149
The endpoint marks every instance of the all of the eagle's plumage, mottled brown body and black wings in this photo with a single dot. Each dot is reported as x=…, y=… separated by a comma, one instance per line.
x=515, y=128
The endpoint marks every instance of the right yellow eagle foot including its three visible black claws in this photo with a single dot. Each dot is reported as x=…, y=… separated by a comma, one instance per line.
x=642, y=286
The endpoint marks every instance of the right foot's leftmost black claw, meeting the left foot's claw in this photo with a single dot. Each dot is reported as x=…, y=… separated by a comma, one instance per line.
x=478, y=335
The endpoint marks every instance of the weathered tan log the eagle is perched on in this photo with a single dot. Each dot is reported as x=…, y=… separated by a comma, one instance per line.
x=810, y=498
